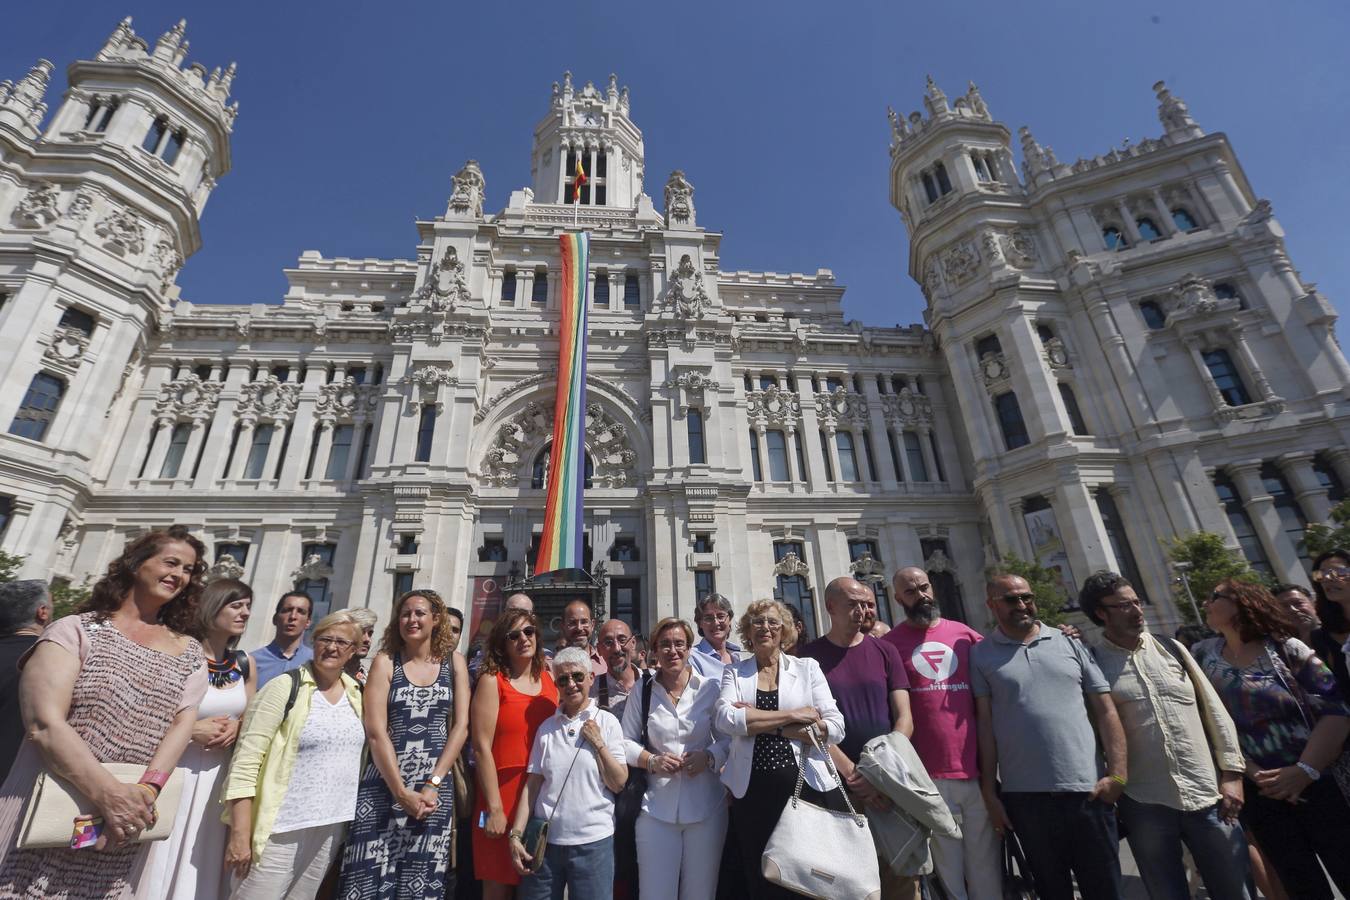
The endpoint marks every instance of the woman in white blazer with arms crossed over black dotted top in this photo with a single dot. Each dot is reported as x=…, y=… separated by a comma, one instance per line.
x=766, y=705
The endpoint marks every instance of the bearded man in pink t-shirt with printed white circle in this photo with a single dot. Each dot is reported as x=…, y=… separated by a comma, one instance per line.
x=938, y=659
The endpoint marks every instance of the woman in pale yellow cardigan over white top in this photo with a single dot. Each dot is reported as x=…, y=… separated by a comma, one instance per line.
x=292, y=787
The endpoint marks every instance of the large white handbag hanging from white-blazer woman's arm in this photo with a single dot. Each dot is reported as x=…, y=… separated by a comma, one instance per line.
x=816, y=852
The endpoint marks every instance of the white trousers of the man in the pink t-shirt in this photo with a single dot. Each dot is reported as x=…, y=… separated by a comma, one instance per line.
x=971, y=867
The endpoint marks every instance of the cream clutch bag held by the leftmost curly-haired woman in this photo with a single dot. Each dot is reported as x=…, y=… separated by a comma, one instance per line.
x=51, y=817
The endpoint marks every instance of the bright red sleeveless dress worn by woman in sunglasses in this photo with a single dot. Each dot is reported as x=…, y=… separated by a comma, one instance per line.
x=519, y=717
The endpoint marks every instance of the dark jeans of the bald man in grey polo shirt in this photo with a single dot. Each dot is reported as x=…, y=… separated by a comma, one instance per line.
x=1066, y=836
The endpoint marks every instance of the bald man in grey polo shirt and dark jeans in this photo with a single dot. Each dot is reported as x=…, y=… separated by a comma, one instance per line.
x=1033, y=689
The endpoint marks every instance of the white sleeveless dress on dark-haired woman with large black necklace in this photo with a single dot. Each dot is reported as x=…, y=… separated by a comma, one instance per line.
x=188, y=864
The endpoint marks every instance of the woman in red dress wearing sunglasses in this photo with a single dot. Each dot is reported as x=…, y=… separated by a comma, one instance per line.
x=515, y=697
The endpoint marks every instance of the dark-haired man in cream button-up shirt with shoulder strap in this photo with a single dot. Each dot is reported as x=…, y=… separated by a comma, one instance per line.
x=1186, y=766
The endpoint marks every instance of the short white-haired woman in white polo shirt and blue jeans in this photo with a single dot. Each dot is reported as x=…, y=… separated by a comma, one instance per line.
x=581, y=748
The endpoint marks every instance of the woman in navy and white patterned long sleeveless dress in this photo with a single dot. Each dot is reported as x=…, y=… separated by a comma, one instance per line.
x=406, y=810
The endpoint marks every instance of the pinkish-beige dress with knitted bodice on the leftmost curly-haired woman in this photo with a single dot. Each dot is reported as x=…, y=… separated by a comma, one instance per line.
x=122, y=706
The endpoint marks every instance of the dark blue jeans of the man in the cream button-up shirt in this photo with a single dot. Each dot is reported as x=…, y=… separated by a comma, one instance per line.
x=1156, y=835
